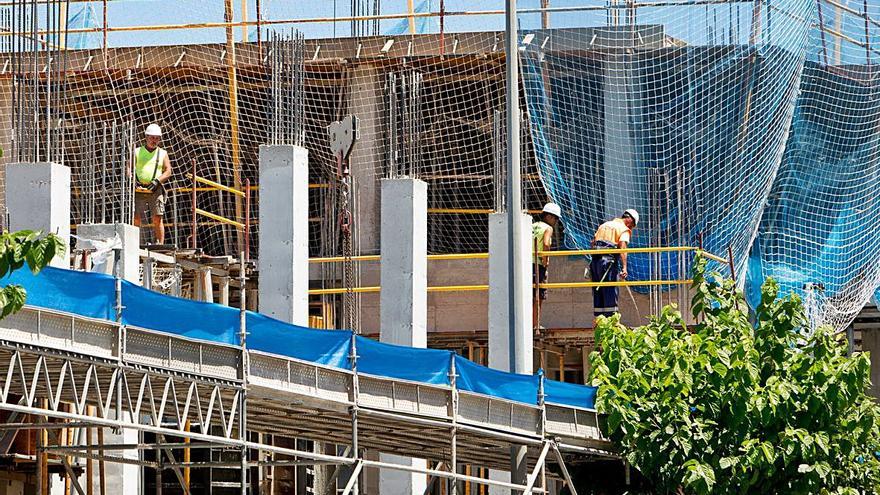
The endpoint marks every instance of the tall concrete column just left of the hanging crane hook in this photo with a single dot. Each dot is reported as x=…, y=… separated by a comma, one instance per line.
x=284, y=233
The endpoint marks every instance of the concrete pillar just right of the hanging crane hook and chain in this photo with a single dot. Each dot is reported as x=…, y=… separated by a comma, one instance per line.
x=404, y=296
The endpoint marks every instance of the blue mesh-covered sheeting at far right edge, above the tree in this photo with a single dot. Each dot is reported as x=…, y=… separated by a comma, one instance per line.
x=820, y=222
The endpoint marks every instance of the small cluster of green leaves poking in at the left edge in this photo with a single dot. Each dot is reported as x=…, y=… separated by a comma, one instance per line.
x=18, y=248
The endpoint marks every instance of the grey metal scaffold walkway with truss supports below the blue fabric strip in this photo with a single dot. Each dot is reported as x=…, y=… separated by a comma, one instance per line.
x=68, y=372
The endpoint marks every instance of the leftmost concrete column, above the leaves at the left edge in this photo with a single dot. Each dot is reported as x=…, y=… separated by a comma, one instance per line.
x=38, y=198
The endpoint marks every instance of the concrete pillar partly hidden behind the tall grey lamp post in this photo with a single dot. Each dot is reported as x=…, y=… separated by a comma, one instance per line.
x=501, y=331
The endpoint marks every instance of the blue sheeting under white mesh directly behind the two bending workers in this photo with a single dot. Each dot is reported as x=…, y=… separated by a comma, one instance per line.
x=687, y=135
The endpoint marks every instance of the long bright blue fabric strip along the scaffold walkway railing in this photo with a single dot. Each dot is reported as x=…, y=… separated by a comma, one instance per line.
x=93, y=295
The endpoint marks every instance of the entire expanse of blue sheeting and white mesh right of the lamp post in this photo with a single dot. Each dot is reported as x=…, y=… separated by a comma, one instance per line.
x=757, y=132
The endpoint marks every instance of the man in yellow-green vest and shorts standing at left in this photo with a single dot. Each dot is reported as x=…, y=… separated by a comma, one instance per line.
x=152, y=169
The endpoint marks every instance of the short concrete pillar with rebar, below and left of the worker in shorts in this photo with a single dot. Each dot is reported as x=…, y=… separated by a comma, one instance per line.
x=101, y=237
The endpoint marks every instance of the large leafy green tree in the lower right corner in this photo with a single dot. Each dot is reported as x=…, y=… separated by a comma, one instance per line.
x=733, y=406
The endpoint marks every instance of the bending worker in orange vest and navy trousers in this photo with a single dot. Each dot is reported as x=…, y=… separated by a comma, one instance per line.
x=614, y=234
